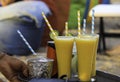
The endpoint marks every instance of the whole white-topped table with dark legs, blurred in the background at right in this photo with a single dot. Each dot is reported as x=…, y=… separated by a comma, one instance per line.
x=102, y=11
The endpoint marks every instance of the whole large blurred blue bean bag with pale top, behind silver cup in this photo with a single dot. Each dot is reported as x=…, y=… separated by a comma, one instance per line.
x=25, y=16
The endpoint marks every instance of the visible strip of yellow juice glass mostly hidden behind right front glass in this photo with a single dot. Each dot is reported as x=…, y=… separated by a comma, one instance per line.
x=94, y=57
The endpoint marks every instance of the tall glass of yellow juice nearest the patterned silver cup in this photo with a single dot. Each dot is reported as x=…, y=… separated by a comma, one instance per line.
x=64, y=45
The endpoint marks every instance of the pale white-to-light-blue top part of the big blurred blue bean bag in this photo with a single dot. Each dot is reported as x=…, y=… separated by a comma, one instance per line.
x=32, y=9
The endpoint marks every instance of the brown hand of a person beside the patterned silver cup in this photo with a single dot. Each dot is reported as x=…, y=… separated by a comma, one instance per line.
x=11, y=67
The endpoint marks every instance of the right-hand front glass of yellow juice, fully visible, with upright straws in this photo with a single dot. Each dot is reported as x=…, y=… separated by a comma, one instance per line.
x=85, y=51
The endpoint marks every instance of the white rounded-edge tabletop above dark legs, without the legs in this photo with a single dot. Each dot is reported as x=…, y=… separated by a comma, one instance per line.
x=106, y=10
